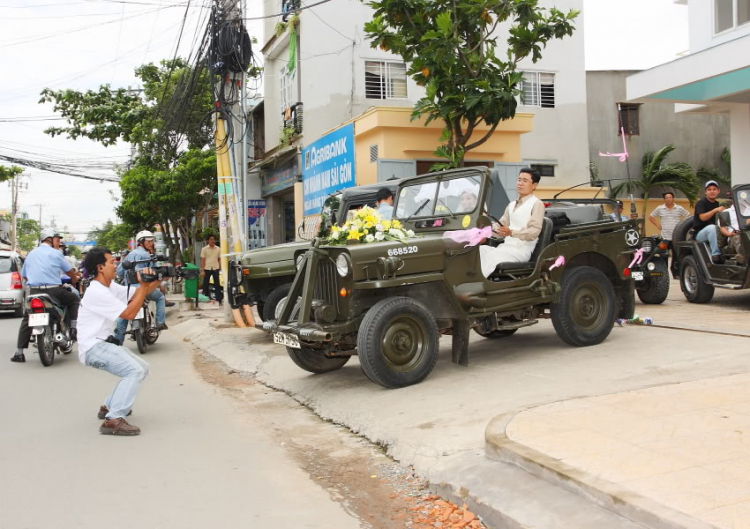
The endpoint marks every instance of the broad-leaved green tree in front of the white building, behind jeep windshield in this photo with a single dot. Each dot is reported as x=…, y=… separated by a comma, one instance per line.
x=450, y=48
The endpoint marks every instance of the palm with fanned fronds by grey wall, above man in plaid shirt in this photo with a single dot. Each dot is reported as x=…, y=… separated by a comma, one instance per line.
x=656, y=173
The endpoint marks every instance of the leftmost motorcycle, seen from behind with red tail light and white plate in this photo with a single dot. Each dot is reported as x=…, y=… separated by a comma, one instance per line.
x=50, y=327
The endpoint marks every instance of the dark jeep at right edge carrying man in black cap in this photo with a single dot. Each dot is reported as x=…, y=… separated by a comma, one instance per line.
x=699, y=275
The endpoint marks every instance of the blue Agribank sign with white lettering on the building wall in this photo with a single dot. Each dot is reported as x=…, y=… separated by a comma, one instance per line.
x=328, y=165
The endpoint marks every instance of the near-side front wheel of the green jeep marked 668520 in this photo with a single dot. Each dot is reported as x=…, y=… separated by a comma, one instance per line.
x=397, y=343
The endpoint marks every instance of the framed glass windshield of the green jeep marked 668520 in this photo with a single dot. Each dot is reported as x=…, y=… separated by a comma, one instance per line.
x=446, y=197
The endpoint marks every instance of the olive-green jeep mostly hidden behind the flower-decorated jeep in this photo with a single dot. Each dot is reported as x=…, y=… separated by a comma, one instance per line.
x=266, y=274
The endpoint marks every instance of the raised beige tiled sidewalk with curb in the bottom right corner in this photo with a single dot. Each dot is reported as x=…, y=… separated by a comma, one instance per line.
x=653, y=455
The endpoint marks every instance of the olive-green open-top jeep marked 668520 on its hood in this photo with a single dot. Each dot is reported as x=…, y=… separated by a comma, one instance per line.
x=389, y=302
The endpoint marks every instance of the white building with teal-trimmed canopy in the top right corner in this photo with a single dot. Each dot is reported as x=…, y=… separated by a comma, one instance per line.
x=713, y=78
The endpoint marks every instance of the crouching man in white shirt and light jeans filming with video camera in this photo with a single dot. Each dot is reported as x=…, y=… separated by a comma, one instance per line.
x=106, y=301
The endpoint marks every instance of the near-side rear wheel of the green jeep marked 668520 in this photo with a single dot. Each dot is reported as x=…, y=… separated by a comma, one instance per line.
x=585, y=313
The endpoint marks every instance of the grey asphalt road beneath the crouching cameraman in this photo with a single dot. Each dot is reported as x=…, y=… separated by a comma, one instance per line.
x=198, y=463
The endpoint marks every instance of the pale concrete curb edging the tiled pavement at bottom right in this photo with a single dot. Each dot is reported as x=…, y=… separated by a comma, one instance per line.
x=608, y=495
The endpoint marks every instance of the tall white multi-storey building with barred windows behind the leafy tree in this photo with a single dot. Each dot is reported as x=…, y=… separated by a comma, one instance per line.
x=336, y=76
